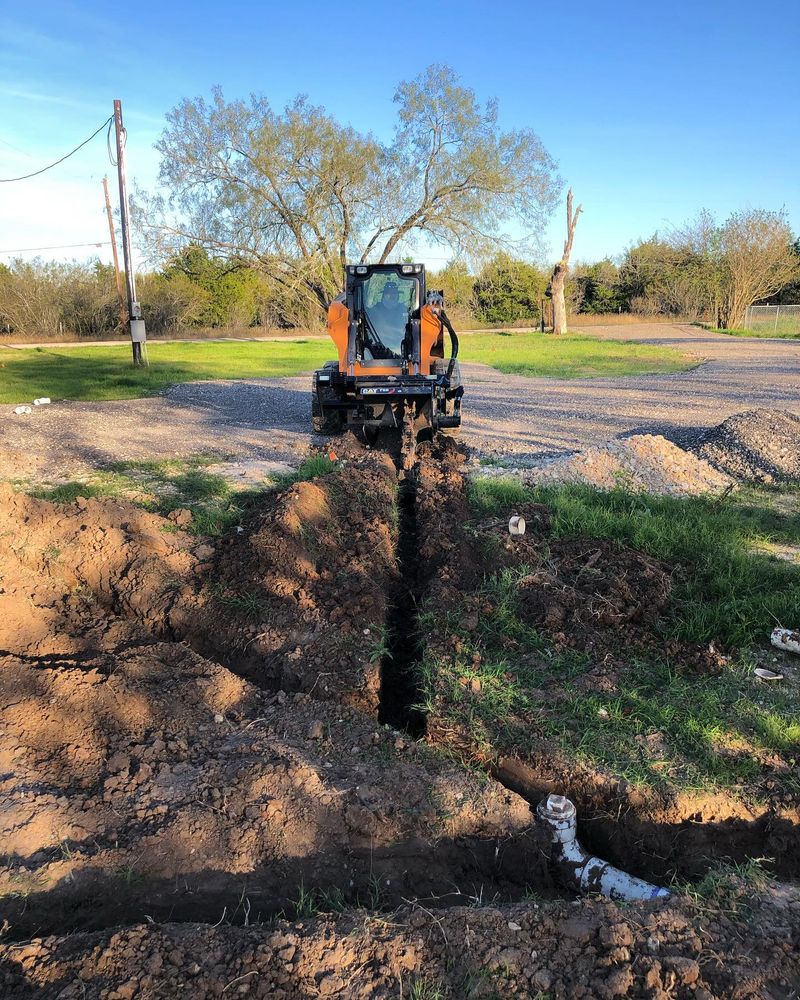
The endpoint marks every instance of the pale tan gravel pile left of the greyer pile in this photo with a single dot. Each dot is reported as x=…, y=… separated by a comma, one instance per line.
x=645, y=462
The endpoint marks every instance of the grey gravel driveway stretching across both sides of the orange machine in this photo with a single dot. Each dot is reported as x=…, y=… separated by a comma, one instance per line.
x=269, y=419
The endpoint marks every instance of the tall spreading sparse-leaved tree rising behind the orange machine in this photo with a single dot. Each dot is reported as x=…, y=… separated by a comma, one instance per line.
x=296, y=194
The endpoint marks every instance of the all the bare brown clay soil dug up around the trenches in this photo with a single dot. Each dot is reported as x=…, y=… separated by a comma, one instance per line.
x=207, y=789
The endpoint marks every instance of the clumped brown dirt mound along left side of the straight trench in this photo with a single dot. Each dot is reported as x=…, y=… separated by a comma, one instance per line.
x=298, y=599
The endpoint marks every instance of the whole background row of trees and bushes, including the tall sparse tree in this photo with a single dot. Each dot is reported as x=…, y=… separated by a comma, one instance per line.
x=259, y=210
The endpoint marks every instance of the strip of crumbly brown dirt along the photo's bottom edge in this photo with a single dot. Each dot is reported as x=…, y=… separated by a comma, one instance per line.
x=593, y=952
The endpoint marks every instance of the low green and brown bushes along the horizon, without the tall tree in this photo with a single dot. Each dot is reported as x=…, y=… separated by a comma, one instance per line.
x=700, y=271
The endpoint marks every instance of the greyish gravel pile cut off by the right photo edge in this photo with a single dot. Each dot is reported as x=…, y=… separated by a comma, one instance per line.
x=755, y=446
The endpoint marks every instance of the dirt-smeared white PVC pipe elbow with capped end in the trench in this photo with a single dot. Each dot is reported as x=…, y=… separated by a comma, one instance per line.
x=588, y=873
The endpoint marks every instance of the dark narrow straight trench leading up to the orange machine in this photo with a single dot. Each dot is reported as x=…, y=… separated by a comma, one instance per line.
x=400, y=687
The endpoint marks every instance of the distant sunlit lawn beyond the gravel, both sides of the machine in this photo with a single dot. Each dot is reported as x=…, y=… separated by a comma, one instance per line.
x=98, y=373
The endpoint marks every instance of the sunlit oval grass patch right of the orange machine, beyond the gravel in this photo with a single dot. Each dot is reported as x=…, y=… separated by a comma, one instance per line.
x=570, y=356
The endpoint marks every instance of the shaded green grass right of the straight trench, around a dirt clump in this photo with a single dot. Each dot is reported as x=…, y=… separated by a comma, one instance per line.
x=657, y=724
